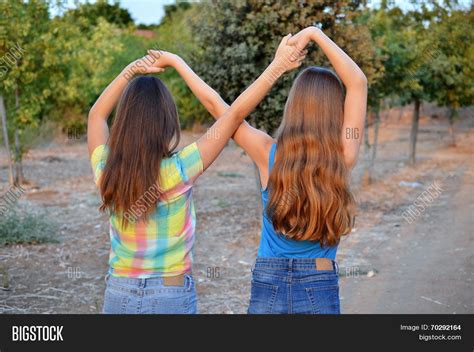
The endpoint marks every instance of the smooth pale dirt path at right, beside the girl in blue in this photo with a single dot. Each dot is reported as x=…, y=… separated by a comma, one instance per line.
x=426, y=266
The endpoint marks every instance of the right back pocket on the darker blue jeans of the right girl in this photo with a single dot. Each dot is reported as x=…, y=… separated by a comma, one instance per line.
x=324, y=300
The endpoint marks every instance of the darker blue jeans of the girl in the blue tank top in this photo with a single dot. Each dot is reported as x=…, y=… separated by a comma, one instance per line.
x=293, y=286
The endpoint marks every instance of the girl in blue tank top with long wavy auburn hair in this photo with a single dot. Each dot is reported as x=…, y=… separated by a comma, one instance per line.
x=304, y=172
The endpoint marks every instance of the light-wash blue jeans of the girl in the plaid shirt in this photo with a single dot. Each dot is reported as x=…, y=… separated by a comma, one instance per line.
x=149, y=296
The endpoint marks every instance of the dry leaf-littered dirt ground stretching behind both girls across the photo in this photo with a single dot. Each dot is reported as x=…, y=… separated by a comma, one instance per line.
x=430, y=258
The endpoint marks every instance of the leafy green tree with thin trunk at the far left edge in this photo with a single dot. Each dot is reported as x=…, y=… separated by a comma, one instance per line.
x=60, y=66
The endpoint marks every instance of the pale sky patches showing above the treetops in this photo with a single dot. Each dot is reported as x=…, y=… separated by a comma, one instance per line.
x=152, y=11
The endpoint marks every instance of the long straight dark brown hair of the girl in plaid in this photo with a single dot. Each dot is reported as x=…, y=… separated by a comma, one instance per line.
x=145, y=130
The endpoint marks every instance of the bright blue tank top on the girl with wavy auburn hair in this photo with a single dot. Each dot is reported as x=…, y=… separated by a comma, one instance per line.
x=275, y=245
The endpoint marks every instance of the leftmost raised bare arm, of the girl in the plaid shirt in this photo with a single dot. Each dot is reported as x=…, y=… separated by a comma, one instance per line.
x=97, y=128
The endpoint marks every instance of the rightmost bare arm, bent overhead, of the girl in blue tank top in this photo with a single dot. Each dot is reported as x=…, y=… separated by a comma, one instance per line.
x=355, y=104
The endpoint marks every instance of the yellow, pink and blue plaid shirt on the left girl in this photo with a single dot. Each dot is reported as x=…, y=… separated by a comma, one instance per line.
x=163, y=245
